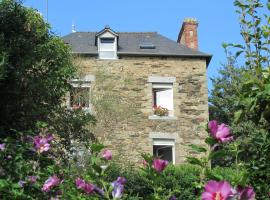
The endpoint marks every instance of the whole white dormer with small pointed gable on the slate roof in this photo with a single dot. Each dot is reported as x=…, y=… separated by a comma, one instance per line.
x=107, y=44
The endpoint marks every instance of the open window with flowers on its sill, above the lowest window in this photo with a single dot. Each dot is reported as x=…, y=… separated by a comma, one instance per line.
x=162, y=94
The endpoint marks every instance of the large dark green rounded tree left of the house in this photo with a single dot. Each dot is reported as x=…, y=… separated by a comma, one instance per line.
x=35, y=68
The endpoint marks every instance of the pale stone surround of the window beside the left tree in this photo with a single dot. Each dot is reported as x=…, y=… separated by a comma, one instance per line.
x=84, y=82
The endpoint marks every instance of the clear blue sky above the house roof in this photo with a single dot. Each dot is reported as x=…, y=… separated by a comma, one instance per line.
x=218, y=21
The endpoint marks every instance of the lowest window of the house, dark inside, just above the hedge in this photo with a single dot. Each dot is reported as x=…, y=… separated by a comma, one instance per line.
x=164, y=149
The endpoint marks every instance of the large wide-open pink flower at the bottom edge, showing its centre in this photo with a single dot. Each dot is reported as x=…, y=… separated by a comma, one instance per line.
x=217, y=191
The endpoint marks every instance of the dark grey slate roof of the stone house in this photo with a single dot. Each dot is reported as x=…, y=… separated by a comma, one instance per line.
x=129, y=44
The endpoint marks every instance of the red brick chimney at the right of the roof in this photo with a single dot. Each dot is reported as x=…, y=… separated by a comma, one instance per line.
x=188, y=34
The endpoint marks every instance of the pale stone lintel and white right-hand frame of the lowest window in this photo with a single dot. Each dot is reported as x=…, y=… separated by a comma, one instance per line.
x=166, y=138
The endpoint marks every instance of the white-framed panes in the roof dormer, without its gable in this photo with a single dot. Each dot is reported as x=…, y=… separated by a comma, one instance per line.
x=107, y=48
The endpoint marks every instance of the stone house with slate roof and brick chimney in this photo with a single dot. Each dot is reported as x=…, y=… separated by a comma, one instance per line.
x=160, y=84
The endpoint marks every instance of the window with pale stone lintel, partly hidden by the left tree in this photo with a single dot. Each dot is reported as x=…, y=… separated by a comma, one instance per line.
x=79, y=94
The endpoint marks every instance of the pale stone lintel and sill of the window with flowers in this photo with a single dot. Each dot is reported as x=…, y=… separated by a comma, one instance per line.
x=161, y=79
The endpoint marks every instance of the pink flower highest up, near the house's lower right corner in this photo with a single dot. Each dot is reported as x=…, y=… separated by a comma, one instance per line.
x=220, y=132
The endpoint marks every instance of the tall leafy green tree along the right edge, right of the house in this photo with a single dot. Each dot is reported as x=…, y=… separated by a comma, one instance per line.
x=249, y=97
